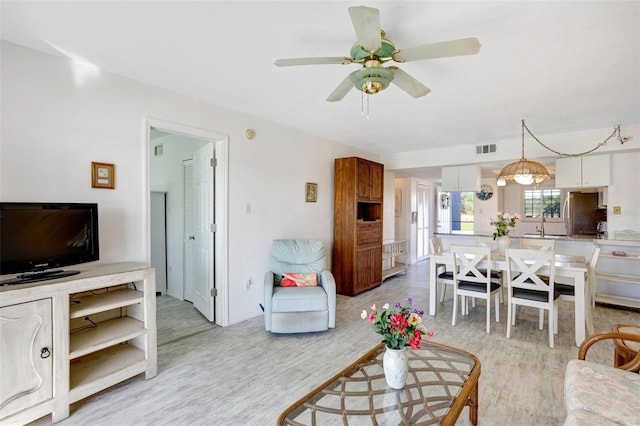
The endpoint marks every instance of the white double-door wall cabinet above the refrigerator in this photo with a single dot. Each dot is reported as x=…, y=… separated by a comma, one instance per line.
x=583, y=172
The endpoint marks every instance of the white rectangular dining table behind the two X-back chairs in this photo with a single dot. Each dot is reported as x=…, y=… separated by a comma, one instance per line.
x=573, y=267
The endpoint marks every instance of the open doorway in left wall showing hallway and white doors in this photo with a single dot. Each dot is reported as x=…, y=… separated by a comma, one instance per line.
x=188, y=167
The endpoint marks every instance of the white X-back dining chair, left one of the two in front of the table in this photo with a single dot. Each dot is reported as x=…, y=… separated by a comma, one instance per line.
x=470, y=281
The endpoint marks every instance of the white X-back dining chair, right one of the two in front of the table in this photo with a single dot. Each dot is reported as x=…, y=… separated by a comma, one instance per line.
x=527, y=287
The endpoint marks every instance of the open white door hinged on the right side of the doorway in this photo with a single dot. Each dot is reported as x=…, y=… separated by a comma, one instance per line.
x=203, y=254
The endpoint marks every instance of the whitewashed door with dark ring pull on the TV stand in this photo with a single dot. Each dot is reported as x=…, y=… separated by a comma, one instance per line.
x=26, y=362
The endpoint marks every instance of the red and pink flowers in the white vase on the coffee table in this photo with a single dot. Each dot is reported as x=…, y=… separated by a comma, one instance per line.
x=399, y=326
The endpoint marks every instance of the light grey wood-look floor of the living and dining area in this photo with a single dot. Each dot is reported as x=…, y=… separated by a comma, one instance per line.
x=242, y=375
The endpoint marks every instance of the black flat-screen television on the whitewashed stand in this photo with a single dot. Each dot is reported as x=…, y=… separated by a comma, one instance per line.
x=38, y=239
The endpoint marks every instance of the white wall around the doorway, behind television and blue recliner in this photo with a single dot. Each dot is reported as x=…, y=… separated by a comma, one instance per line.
x=54, y=126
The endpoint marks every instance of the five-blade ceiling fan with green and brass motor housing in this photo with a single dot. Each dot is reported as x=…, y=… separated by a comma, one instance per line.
x=372, y=50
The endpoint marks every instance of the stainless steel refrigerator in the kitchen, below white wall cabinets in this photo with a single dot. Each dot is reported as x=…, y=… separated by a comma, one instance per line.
x=581, y=213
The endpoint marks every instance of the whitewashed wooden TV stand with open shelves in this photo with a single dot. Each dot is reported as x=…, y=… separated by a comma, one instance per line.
x=102, y=333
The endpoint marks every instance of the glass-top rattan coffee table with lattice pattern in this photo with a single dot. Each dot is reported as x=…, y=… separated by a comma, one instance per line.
x=442, y=380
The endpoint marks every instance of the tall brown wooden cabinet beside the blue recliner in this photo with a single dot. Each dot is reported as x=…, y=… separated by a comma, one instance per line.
x=357, y=220
